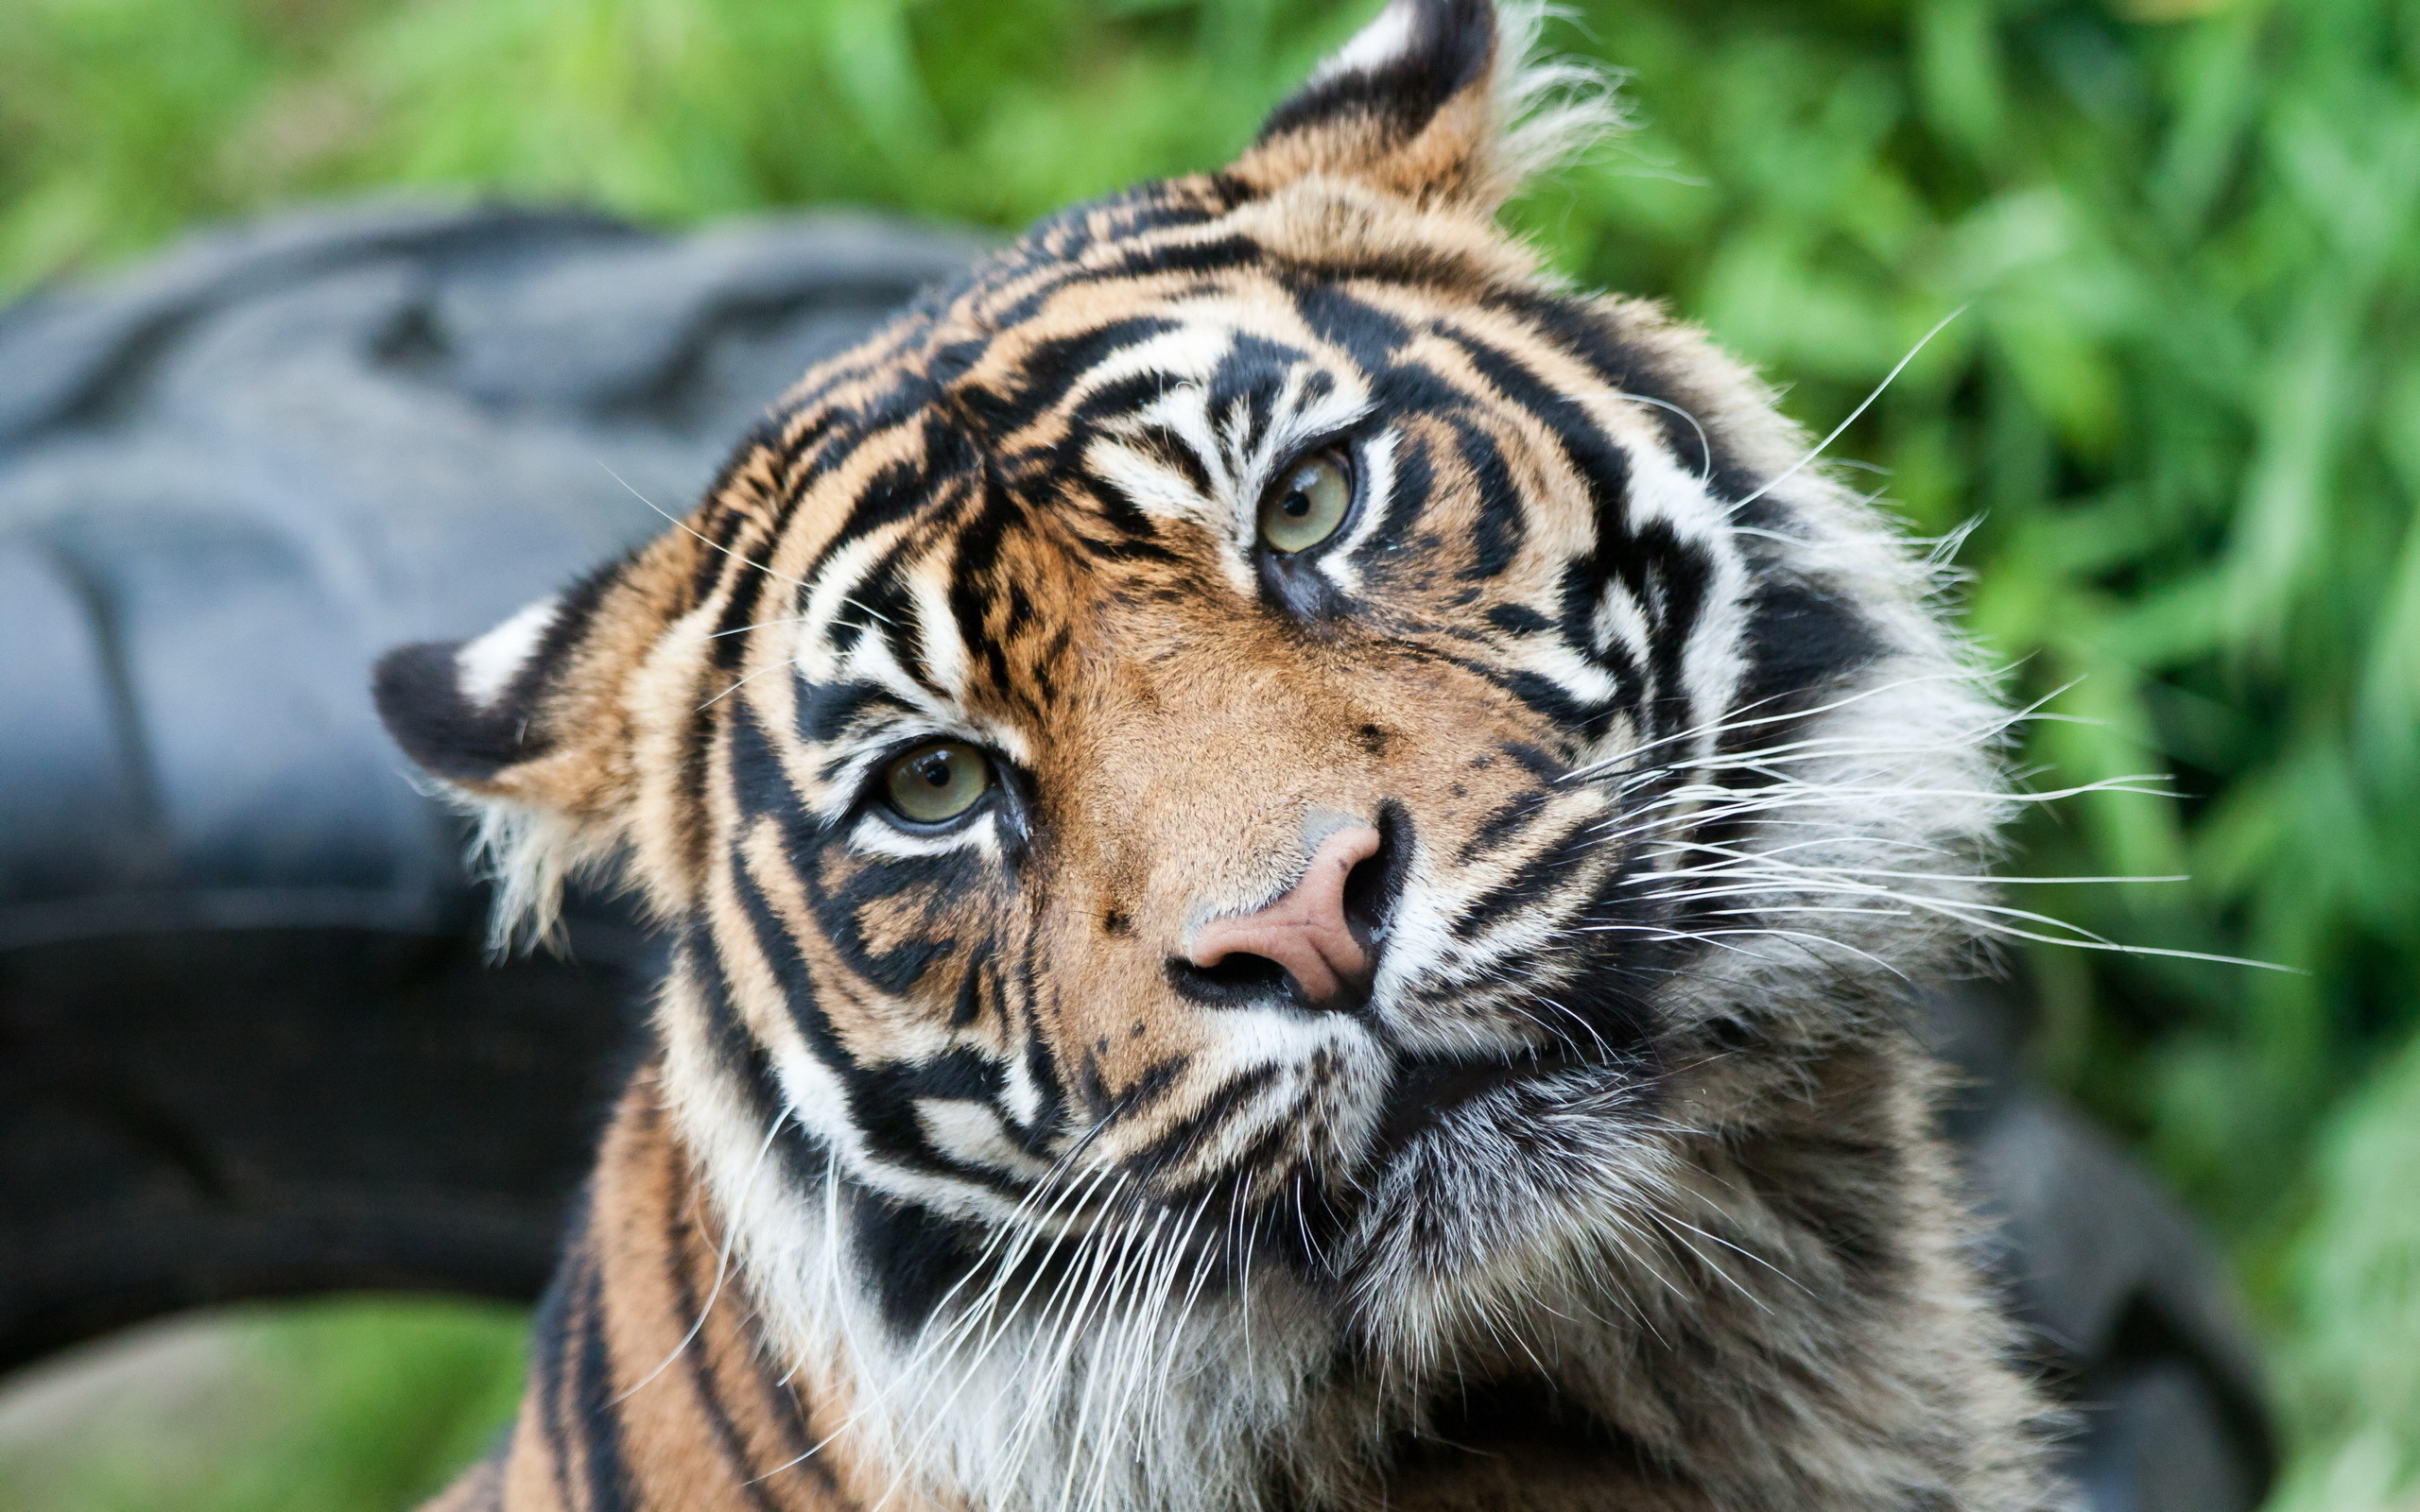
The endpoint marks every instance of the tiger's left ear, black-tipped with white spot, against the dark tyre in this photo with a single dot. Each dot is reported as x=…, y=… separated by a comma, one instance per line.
x=536, y=727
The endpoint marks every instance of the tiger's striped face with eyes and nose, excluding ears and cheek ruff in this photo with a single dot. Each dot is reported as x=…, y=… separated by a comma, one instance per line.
x=1185, y=722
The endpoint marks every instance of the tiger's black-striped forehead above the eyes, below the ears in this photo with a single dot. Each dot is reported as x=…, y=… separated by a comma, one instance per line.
x=1177, y=333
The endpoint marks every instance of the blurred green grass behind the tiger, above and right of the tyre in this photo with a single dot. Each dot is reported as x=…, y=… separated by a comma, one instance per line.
x=2184, y=410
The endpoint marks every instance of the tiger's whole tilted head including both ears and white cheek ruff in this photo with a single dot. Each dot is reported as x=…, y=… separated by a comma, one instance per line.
x=1252, y=720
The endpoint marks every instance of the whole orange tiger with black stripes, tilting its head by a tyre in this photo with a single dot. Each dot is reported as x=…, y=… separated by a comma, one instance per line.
x=1293, y=860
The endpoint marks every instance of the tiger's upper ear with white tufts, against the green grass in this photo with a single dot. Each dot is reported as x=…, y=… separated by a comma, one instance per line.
x=1436, y=103
